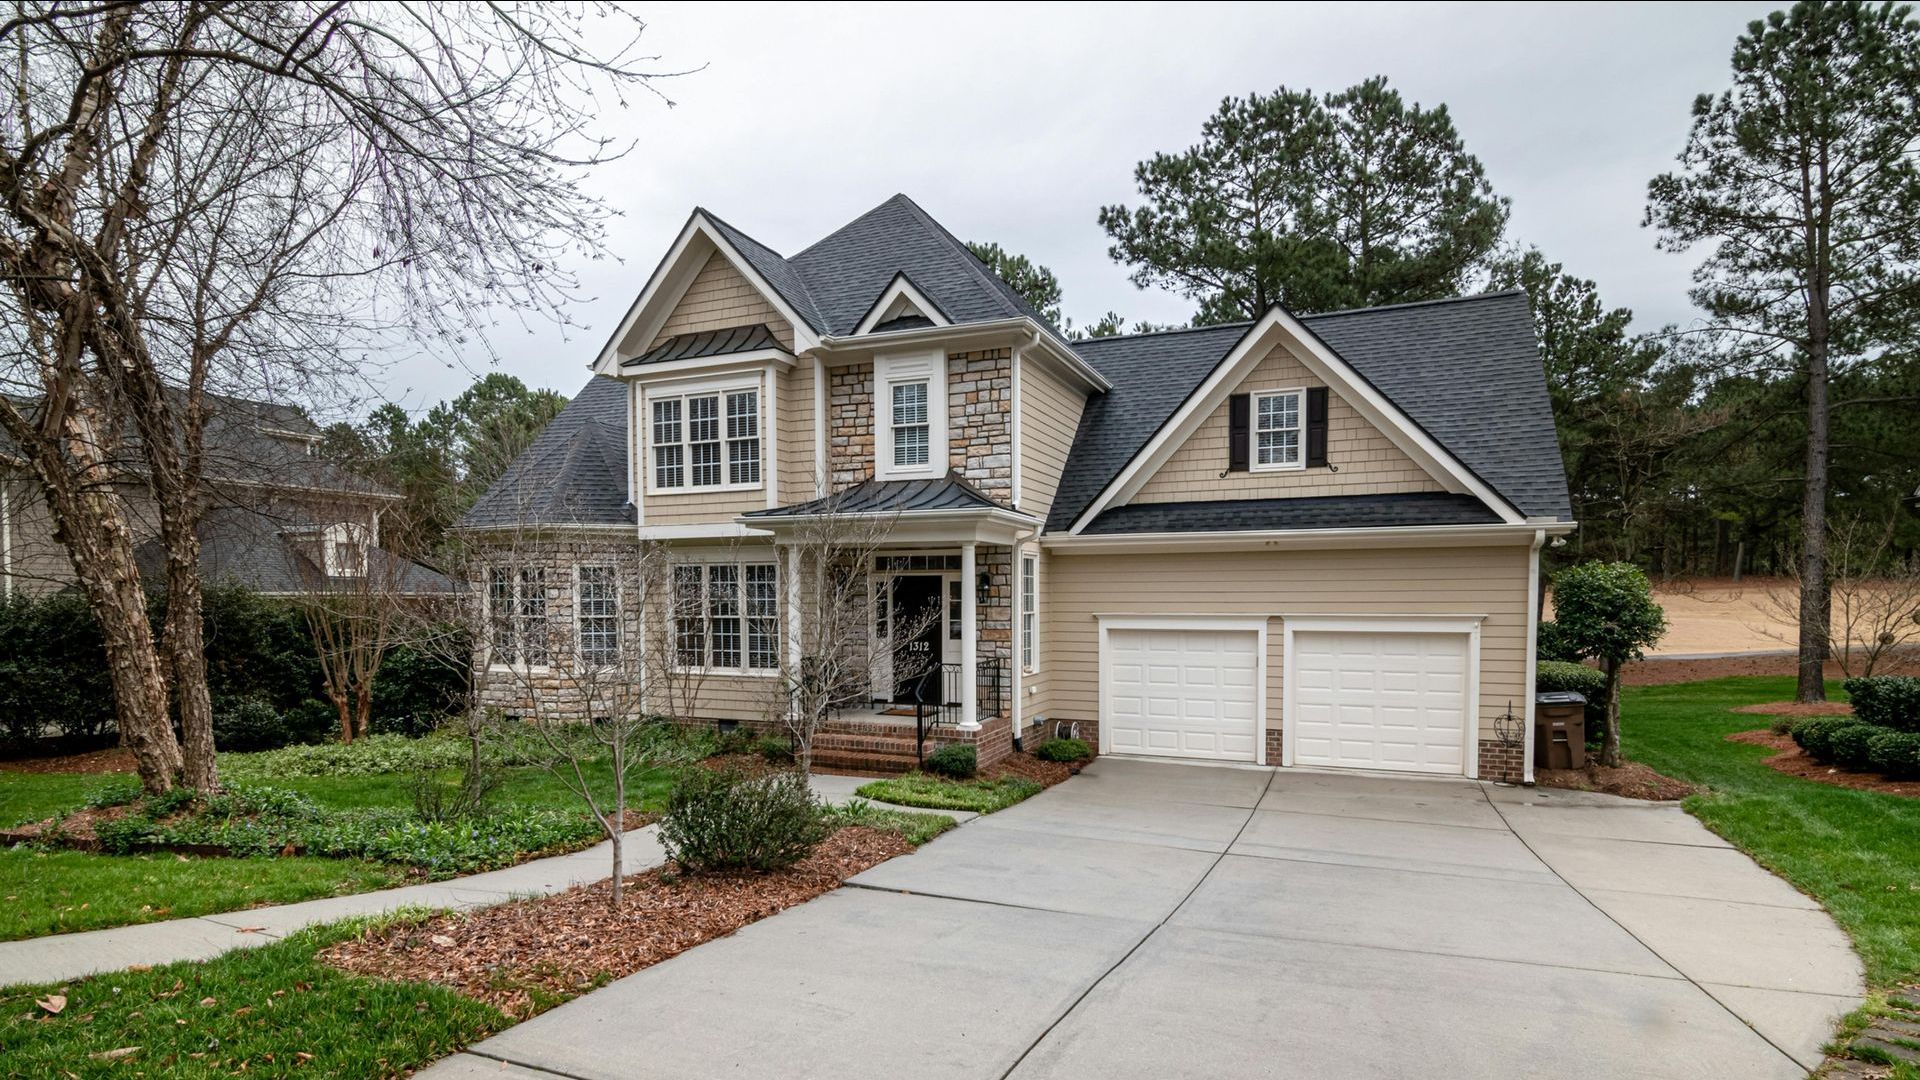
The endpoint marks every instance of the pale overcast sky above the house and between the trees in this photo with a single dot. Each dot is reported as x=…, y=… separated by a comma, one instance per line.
x=1017, y=124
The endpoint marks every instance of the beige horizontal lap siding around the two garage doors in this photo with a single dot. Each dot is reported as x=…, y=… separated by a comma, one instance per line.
x=1393, y=581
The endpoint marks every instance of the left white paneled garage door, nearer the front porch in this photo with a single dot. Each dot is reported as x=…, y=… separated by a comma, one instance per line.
x=1182, y=693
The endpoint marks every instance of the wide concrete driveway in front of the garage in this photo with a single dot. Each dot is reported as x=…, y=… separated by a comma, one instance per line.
x=1209, y=921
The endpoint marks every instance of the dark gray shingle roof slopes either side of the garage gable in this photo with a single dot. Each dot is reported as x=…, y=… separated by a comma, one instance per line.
x=1468, y=372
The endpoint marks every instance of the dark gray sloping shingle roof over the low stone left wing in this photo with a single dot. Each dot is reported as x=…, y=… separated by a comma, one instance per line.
x=575, y=472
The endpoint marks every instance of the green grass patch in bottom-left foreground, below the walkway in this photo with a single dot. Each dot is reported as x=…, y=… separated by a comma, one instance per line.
x=266, y=1012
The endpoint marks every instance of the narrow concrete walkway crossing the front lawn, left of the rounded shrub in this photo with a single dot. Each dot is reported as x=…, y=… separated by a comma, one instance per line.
x=74, y=956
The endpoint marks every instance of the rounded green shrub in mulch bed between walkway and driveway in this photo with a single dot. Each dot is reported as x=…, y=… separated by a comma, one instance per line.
x=717, y=820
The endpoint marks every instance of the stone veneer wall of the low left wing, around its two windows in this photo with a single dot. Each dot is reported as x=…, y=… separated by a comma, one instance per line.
x=558, y=691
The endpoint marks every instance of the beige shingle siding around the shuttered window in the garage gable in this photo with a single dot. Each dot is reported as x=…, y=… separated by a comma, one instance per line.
x=1366, y=460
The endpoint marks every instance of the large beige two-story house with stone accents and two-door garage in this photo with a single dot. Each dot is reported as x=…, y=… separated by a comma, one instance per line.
x=1299, y=541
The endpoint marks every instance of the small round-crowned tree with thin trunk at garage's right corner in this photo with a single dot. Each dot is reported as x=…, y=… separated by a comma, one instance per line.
x=1606, y=612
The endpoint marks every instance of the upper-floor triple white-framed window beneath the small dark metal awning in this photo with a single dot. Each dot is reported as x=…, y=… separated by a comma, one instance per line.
x=706, y=441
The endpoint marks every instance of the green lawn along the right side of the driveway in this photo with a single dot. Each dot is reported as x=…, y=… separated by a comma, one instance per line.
x=1856, y=852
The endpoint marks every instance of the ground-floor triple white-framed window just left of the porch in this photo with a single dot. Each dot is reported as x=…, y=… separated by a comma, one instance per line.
x=727, y=616
